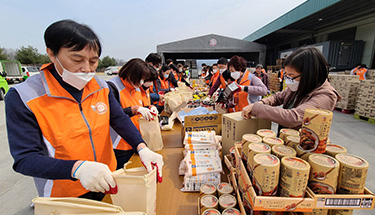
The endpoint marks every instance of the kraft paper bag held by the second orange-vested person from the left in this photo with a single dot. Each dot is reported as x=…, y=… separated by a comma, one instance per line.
x=151, y=133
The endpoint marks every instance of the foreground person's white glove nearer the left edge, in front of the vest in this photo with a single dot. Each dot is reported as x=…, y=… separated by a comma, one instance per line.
x=94, y=176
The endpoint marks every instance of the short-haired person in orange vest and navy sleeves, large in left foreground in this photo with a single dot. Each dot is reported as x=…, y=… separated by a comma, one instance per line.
x=67, y=112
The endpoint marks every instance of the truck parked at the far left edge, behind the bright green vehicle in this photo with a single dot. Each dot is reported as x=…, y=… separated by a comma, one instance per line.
x=11, y=71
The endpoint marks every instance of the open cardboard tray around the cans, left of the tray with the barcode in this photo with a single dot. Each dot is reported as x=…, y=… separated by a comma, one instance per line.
x=271, y=203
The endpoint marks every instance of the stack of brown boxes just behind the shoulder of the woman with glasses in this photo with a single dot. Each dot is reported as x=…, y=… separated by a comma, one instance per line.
x=347, y=86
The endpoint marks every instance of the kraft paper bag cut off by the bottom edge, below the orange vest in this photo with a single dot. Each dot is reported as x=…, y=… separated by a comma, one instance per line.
x=48, y=206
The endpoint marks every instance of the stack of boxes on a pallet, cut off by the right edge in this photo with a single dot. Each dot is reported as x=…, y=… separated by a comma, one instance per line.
x=366, y=99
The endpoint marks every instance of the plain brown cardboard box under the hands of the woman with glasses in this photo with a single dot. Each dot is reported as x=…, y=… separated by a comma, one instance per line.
x=234, y=126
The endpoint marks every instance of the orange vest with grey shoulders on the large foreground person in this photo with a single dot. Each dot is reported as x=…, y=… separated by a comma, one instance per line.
x=71, y=130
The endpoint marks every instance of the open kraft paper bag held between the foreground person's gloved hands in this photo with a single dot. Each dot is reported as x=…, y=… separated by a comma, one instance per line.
x=136, y=190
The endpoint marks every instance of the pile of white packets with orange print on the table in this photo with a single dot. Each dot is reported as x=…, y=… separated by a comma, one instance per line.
x=202, y=162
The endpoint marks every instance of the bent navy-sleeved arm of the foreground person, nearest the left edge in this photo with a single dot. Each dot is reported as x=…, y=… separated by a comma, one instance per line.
x=26, y=143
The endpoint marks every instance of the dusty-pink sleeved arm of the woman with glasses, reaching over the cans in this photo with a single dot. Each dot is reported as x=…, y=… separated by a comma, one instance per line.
x=293, y=117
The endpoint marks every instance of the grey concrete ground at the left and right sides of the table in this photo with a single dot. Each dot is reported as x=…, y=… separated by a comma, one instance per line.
x=17, y=191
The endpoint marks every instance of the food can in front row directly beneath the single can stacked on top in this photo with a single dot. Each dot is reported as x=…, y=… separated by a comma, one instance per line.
x=324, y=174
